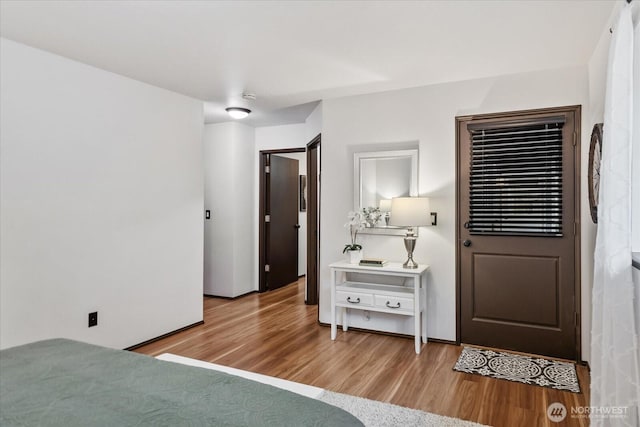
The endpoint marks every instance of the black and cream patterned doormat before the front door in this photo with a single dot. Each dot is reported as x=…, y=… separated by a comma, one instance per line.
x=523, y=369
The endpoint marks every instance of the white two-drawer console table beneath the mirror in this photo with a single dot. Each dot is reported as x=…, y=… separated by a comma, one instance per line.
x=409, y=299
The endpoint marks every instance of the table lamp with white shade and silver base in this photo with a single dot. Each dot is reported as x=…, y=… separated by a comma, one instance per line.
x=410, y=212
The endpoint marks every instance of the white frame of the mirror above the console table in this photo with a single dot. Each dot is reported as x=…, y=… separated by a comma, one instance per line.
x=412, y=153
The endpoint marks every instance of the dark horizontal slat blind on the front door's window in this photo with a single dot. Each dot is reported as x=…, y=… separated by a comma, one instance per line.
x=516, y=179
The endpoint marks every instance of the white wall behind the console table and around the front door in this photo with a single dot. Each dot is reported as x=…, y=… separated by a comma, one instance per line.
x=425, y=114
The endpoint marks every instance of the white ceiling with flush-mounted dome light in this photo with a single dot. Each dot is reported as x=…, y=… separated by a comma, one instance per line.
x=293, y=53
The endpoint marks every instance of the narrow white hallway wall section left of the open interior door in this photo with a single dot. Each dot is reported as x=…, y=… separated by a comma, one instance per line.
x=229, y=262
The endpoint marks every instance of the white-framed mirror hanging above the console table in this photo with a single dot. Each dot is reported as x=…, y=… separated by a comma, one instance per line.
x=380, y=176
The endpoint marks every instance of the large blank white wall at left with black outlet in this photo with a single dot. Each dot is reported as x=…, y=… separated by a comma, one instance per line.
x=101, y=203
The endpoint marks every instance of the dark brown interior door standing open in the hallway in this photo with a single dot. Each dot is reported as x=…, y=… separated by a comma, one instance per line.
x=282, y=228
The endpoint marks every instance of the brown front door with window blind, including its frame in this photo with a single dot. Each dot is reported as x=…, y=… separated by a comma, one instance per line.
x=517, y=231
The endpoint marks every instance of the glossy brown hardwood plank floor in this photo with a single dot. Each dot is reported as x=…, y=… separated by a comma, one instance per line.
x=276, y=334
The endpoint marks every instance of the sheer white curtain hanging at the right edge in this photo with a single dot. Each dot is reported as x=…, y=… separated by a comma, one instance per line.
x=615, y=351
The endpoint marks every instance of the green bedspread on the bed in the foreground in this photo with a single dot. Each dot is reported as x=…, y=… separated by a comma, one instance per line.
x=67, y=383
